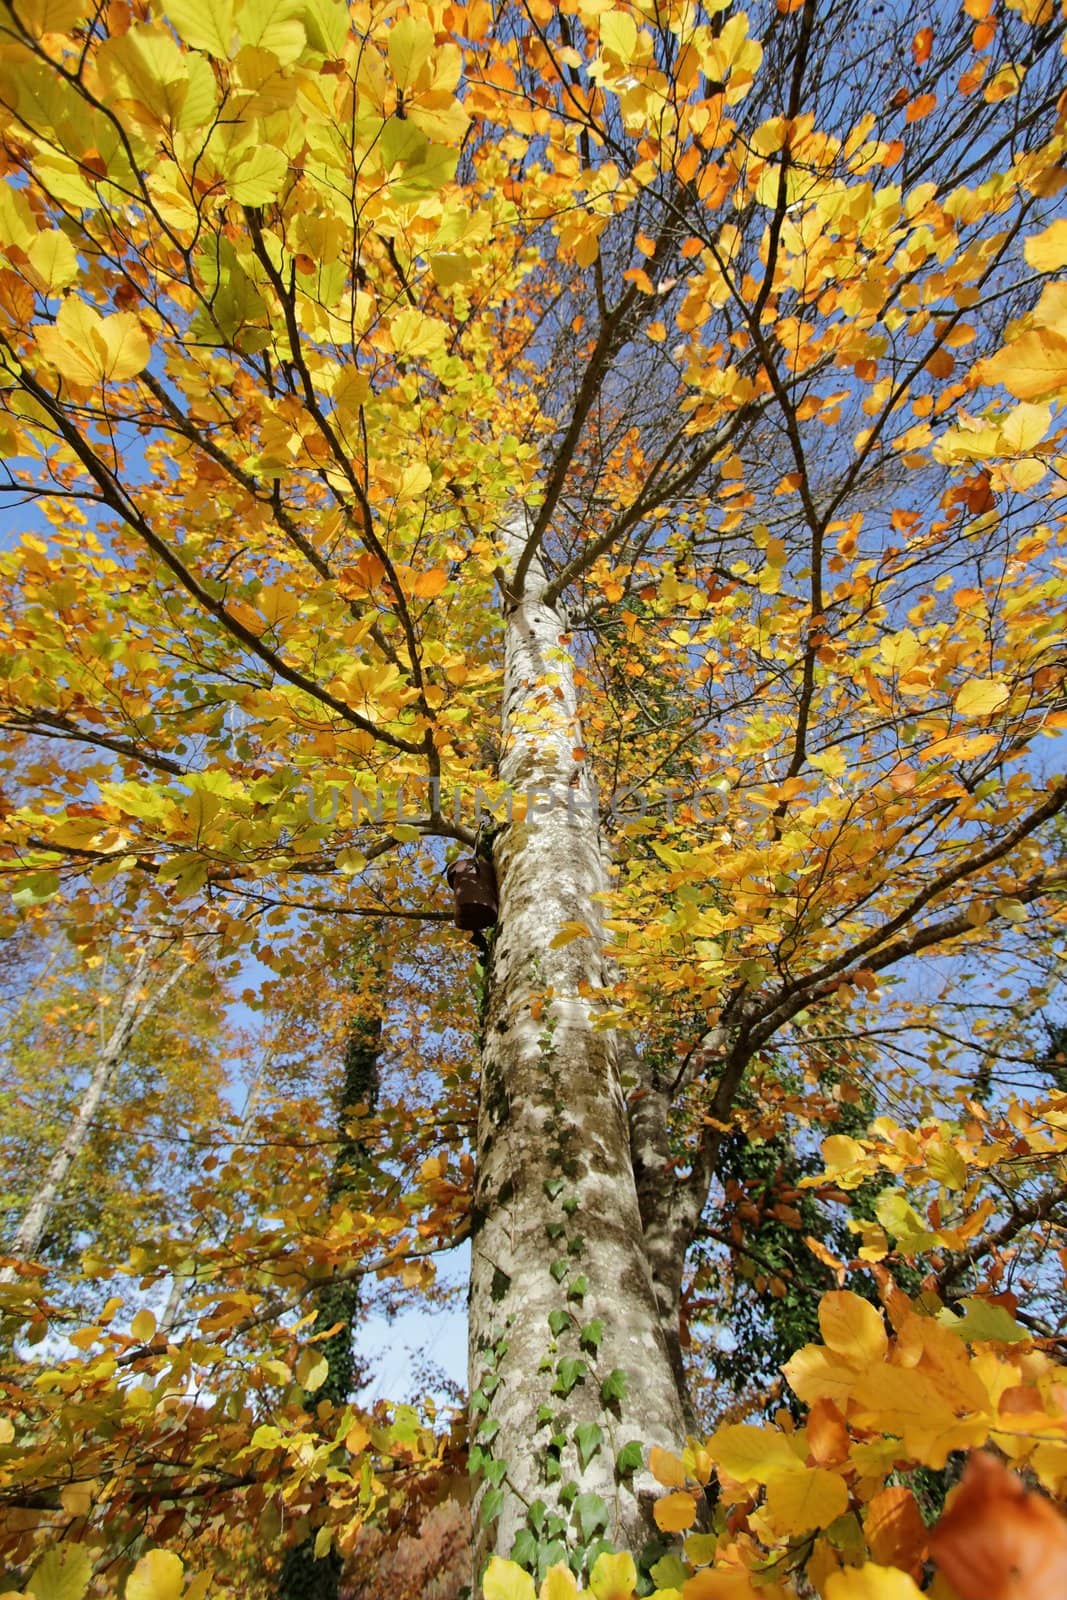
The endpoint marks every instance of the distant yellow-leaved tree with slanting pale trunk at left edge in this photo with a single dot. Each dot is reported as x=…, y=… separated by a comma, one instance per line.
x=113, y=1060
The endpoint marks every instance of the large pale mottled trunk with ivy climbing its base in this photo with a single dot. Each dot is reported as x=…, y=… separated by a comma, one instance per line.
x=569, y=1359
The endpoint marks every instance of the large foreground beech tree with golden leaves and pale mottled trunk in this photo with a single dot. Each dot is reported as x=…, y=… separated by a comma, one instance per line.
x=645, y=415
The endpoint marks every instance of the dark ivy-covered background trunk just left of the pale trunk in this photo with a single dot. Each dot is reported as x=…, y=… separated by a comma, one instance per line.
x=303, y=1575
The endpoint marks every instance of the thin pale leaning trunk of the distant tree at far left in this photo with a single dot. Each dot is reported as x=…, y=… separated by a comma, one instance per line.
x=135, y=1007
